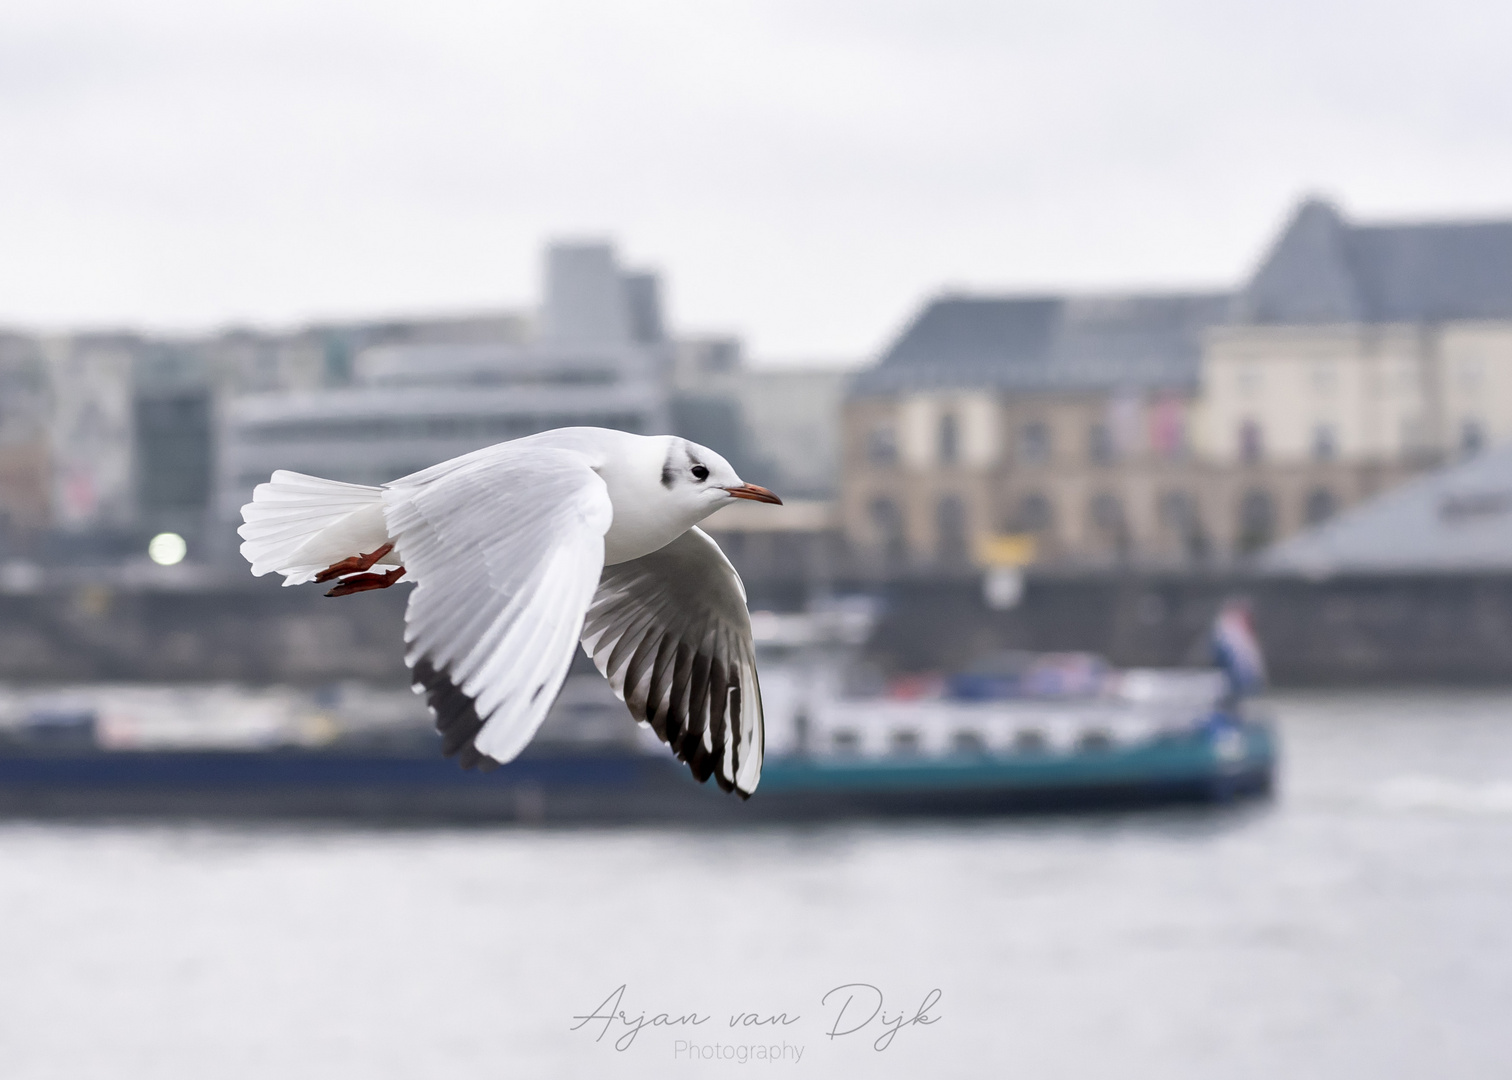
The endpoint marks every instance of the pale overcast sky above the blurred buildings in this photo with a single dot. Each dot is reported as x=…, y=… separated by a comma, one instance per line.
x=802, y=173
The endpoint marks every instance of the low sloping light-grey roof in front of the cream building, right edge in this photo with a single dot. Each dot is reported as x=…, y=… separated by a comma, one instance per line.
x=1454, y=520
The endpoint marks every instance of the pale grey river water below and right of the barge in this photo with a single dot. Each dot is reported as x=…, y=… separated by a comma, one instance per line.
x=1359, y=926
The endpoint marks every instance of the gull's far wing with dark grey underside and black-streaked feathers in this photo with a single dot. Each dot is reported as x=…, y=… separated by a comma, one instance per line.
x=672, y=636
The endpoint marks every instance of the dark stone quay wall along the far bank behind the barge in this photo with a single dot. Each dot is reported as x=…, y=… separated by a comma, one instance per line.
x=1402, y=630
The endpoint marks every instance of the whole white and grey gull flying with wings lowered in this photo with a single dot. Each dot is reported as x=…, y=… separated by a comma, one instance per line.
x=525, y=550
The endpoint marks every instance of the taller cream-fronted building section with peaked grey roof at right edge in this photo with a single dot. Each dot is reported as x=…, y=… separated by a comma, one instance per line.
x=1359, y=356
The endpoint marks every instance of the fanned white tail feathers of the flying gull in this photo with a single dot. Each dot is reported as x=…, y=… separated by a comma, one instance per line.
x=299, y=526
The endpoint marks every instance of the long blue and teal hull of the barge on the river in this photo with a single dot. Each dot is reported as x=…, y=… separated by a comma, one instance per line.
x=1206, y=765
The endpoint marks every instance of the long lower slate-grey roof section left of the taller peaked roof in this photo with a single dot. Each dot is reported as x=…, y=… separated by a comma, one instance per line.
x=1050, y=344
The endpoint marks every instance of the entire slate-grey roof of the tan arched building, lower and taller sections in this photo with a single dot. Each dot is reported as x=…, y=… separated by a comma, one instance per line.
x=1322, y=270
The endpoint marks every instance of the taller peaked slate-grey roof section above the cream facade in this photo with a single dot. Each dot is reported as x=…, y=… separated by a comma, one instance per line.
x=1327, y=270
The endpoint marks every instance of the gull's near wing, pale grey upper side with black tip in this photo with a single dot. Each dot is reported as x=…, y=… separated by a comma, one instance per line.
x=506, y=548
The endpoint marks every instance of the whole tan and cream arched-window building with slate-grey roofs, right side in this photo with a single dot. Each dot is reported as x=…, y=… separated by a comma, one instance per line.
x=1183, y=429
